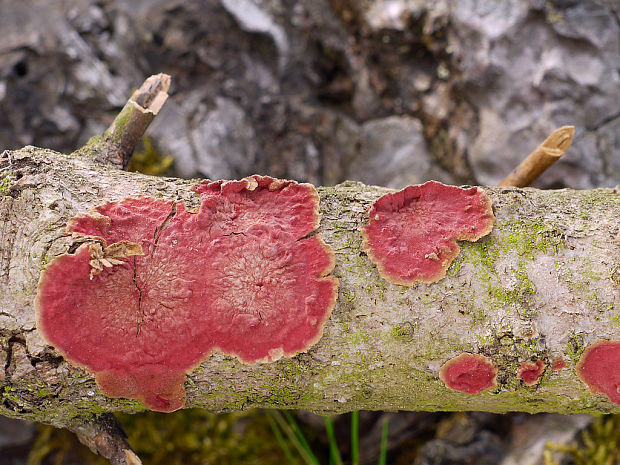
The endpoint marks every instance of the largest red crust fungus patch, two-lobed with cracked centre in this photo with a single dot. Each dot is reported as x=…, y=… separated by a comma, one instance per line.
x=157, y=289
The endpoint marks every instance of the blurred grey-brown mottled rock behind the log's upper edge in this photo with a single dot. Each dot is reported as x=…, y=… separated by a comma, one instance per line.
x=388, y=92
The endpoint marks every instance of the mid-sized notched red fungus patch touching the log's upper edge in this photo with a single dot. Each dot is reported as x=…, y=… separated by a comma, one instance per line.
x=412, y=234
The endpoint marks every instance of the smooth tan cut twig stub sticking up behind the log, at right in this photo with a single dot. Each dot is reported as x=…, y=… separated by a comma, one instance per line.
x=545, y=155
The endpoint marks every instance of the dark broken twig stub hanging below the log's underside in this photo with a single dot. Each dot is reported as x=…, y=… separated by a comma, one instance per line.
x=104, y=435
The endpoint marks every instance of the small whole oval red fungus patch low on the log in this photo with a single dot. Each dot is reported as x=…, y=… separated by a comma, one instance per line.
x=469, y=373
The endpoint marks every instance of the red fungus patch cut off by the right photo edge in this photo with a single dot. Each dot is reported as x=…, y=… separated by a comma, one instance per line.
x=599, y=368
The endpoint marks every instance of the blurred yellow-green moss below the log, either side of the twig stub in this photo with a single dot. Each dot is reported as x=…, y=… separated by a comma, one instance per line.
x=188, y=437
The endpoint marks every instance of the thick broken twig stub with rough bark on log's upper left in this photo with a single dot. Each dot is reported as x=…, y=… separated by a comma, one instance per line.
x=120, y=139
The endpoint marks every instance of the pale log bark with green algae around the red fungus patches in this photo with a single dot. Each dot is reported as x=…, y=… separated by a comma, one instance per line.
x=543, y=285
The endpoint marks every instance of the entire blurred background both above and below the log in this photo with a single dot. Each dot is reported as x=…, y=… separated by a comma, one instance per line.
x=388, y=92
